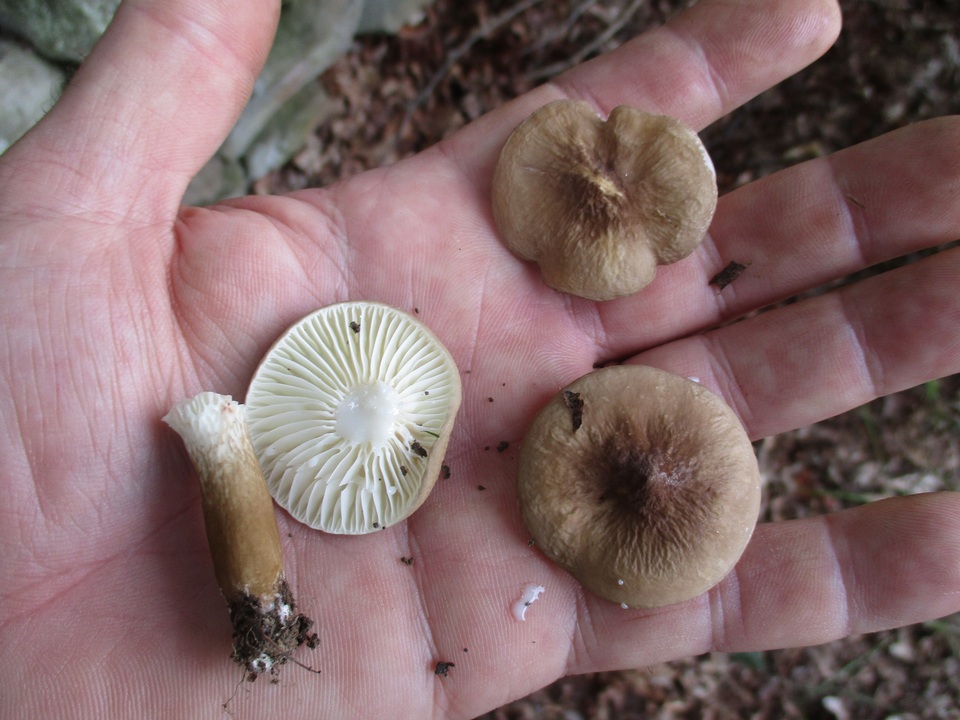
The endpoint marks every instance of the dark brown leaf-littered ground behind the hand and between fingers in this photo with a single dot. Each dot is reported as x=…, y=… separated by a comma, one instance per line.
x=897, y=62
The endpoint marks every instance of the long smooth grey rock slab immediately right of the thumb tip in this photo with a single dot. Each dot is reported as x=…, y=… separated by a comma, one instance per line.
x=311, y=36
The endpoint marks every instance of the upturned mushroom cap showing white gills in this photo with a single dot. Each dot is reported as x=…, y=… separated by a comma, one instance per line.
x=350, y=413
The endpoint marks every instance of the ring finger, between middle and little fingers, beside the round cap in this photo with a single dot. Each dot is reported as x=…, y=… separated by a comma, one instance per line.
x=811, y=360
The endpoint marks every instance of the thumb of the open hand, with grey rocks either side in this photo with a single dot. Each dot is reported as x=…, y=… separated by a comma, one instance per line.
x=151, y=104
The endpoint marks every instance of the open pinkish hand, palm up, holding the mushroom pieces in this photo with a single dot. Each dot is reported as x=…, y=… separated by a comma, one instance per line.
x=116, y=303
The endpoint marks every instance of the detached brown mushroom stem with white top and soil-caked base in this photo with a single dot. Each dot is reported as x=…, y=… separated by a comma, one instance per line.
x=242, y=533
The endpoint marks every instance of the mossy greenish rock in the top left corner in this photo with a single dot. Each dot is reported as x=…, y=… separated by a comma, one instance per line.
x=59, y=29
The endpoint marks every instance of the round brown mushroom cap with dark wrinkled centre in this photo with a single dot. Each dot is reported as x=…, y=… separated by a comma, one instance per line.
x=652, y=500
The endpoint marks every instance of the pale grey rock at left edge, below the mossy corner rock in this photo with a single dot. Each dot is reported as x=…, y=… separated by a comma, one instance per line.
x=29, y=86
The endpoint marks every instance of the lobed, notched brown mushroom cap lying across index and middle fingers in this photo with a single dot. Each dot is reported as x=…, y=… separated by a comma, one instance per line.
x=599, y=204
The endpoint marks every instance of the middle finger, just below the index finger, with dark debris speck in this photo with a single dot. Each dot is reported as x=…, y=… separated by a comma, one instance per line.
x=803, y=227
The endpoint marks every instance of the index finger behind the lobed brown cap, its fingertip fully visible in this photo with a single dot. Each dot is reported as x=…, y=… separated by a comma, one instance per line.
x=701, y=65
